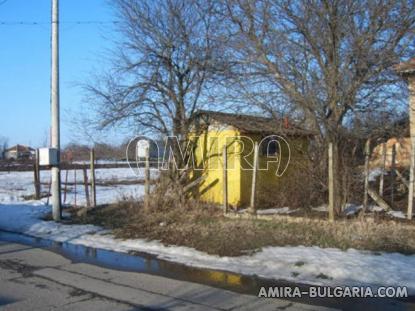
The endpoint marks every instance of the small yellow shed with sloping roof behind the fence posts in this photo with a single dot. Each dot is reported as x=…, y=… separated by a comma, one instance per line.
x=281, y=152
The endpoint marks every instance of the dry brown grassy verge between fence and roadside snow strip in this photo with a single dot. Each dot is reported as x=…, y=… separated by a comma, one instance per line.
x=204, y=228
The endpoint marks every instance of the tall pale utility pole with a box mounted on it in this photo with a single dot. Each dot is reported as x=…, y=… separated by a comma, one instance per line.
x=55, y=131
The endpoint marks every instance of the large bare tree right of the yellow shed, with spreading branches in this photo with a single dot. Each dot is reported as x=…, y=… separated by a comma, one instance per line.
x=329, y=58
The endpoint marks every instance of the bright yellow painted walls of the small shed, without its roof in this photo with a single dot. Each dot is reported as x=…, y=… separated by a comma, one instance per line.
x=208, y=155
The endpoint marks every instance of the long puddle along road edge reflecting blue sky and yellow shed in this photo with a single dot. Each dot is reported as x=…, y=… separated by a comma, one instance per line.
x=146, y=263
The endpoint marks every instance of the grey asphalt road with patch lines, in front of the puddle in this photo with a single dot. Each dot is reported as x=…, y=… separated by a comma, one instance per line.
x=37, y=279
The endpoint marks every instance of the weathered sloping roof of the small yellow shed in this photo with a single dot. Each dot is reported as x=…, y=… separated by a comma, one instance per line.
x=253, y=124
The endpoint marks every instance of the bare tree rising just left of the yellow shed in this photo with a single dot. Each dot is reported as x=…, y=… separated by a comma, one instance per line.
x=163, y=71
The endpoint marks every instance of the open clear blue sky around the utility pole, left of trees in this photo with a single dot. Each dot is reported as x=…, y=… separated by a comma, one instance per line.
x=25, y=64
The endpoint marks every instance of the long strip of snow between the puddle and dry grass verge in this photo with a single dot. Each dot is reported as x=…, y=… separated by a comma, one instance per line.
x=312, y=265
